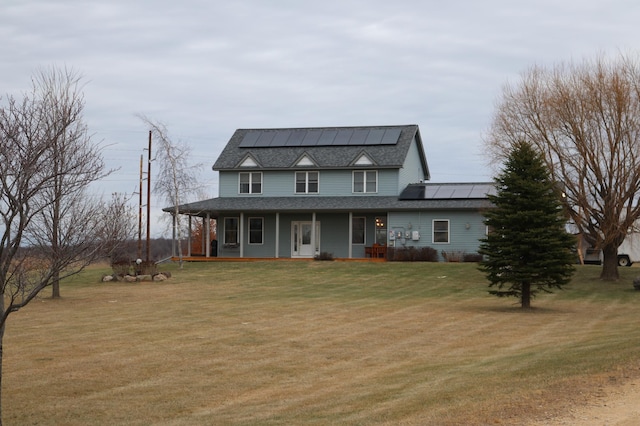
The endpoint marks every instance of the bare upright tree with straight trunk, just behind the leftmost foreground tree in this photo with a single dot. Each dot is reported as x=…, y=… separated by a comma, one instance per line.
x=74, y=163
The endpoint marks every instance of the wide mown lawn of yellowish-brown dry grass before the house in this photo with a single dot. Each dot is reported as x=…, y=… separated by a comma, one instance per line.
x=313, y=343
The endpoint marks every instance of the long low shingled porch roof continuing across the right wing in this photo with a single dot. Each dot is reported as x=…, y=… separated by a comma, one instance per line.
x=222, y=205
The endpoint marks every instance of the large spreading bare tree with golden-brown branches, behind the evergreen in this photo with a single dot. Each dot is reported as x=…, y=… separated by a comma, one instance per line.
x=585, y=119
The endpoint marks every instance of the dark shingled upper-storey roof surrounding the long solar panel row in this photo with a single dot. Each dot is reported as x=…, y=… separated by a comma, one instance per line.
x=325, y=156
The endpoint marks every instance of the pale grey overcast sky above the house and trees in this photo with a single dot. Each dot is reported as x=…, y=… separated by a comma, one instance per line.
x=207, y=67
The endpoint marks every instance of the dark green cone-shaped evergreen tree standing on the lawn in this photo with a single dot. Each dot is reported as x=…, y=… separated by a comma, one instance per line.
x=527, y=249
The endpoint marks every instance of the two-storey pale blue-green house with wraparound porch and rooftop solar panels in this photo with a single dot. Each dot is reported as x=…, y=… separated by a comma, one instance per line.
x=347, y=191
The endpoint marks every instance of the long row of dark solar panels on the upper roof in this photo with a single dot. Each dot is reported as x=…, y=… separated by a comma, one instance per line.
x=319, y=137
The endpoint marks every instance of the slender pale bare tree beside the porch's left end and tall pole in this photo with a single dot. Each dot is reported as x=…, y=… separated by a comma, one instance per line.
x=176, y=179
